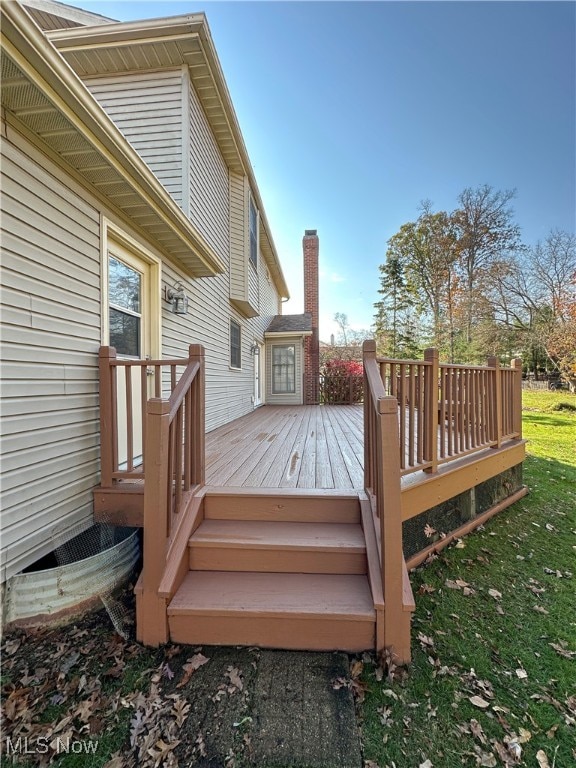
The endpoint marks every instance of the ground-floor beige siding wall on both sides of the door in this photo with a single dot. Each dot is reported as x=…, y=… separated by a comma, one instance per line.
x=51, y=332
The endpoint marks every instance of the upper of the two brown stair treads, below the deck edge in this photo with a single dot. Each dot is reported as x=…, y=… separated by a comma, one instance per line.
x=254, y=534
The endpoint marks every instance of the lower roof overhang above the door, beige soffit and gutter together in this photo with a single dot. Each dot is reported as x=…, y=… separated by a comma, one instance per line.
x=49, y=100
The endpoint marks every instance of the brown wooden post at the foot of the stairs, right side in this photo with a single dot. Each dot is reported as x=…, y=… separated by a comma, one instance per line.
x=396, y=621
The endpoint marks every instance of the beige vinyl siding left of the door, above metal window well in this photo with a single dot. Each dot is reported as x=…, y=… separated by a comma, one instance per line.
x=50, y=337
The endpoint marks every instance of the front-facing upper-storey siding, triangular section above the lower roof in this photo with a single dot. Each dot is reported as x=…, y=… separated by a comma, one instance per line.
x=148, y=108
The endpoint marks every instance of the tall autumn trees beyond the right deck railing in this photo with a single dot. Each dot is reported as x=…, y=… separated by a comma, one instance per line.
x=465, y=283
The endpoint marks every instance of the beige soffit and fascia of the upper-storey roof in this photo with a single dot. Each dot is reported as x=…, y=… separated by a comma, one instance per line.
x=172, y=42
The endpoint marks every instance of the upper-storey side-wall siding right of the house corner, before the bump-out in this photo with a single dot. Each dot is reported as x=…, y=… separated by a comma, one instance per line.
x=208, y=181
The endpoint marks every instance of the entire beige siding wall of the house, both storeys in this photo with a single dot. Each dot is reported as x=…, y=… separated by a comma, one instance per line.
x=54, y=305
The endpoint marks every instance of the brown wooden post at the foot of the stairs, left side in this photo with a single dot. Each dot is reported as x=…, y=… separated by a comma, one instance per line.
x=157, y=490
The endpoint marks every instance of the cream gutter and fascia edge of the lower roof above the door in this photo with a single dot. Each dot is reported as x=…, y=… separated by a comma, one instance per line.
x=26, y=45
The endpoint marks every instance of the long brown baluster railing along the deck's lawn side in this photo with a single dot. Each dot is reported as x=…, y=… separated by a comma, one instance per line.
x=447, y=411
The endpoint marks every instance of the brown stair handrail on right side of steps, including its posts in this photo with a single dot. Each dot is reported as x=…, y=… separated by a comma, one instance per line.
x=382, y=483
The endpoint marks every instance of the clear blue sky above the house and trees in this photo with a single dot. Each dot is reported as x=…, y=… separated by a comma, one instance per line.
x=354, y=112
